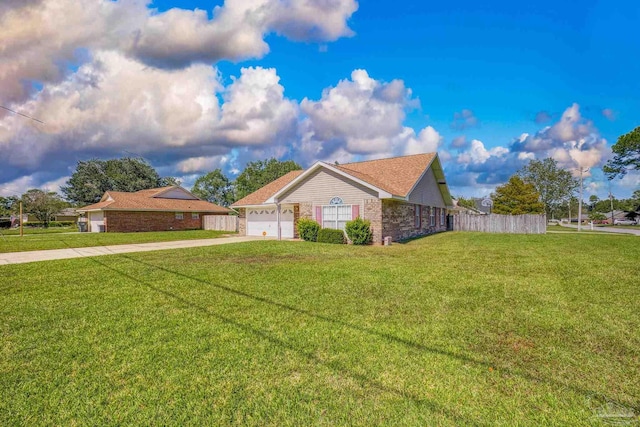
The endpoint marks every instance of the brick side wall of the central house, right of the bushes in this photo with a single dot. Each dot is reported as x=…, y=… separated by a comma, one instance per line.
x=398, y=221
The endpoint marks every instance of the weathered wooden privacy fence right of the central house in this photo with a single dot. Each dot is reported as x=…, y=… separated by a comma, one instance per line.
x=494, y=223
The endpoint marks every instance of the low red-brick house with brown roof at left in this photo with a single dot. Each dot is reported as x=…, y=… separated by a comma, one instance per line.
x=156, y=209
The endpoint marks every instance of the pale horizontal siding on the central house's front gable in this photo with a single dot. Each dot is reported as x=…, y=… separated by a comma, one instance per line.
x=322, y=185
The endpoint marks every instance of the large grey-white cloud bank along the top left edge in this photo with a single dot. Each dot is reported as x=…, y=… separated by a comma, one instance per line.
x=42, y=37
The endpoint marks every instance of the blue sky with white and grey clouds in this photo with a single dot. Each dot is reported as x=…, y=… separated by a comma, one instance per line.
x=194, y=85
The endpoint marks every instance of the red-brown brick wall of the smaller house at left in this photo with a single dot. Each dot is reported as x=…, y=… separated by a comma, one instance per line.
x=121, y=221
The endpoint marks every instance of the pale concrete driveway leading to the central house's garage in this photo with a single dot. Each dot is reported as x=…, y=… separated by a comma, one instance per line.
x=52, y=254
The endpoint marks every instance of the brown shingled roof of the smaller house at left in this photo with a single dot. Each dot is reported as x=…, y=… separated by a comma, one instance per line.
x=144, y=200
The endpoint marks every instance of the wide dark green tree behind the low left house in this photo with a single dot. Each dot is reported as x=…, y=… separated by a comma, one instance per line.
x=93, y=177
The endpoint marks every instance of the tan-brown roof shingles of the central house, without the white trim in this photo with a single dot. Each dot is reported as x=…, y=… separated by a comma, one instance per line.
x=396, y=176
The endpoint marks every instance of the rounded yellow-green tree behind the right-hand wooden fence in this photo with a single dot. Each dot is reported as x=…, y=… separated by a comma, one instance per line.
x=516, y=198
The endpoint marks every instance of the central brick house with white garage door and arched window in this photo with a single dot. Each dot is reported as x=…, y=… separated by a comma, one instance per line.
x=403, y=197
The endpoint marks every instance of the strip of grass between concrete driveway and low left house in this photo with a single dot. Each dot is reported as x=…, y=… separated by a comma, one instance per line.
x=53, y=240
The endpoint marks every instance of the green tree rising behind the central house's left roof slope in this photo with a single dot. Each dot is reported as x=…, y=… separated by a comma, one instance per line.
x=258, y=174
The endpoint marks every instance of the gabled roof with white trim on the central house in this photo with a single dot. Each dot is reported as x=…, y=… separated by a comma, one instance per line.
x=394, y=177
